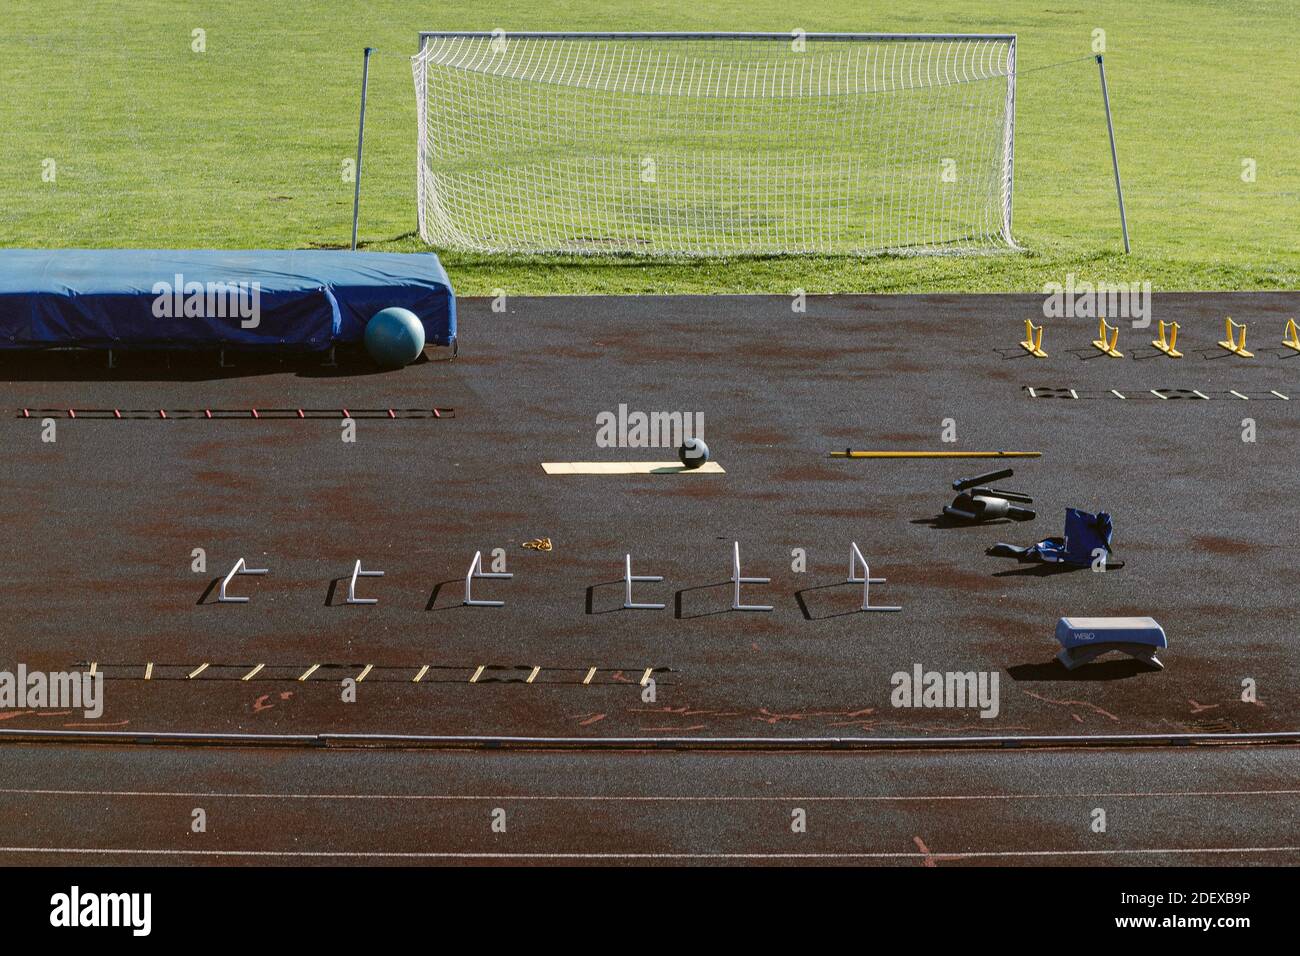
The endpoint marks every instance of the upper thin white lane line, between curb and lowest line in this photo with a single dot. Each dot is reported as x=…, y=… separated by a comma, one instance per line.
x=682, y=798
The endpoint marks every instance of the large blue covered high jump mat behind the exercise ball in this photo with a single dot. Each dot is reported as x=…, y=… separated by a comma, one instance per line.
x=310, y=300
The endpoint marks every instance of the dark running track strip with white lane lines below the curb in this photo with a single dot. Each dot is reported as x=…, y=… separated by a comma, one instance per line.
x=1230, y=807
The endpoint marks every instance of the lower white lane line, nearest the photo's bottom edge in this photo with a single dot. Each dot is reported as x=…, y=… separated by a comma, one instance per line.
x=436, y=855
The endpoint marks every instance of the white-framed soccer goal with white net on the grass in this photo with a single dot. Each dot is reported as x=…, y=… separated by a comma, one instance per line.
x=716, y=145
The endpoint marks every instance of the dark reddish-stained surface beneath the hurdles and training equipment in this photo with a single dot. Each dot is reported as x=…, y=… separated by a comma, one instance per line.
x=102, y=526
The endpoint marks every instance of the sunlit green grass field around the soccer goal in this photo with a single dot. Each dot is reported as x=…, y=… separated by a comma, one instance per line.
x=153, y=145
